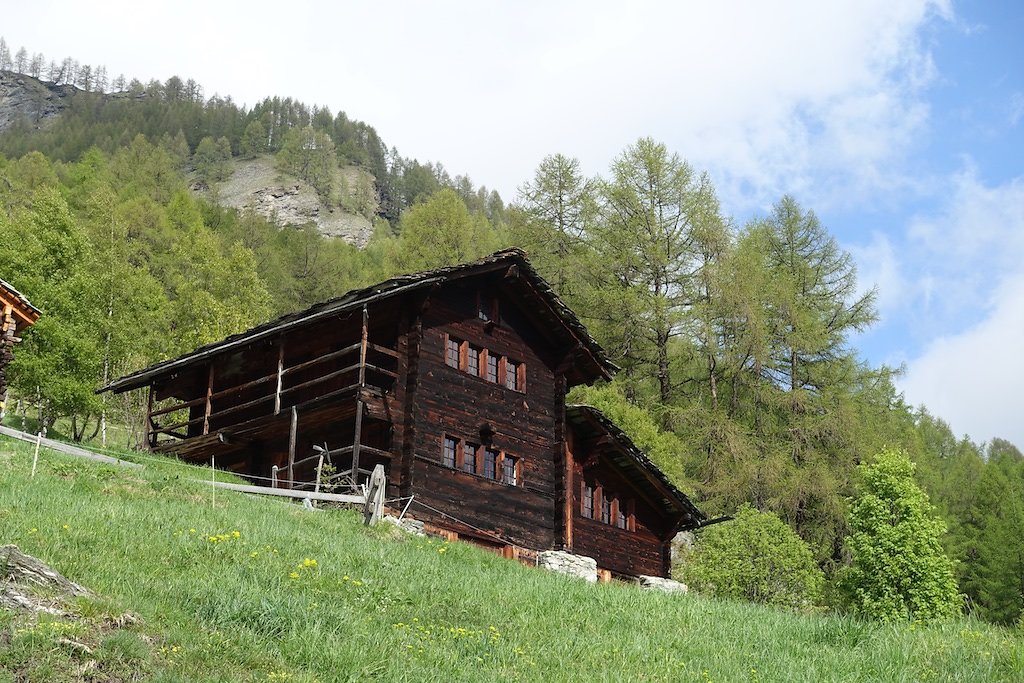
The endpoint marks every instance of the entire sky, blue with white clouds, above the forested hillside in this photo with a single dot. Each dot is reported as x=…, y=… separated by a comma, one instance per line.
x=900, y=122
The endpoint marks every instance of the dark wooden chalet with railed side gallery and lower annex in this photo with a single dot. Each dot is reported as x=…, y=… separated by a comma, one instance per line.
x=455, y=381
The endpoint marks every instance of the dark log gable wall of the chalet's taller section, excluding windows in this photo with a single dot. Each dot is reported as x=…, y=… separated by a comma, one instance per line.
x=451, y=402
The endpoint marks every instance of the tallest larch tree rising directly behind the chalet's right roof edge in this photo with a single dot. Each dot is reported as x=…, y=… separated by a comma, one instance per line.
x=653, y=207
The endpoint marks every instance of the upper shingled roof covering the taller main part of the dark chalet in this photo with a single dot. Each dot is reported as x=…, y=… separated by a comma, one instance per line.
x=554, y=311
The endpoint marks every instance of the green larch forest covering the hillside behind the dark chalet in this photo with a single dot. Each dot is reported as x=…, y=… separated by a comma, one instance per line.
x=738, y=373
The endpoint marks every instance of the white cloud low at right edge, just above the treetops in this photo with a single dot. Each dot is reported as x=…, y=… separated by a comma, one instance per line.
x=974, y=379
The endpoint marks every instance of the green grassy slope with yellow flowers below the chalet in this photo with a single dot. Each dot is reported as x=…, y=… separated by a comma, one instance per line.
x=381, y=606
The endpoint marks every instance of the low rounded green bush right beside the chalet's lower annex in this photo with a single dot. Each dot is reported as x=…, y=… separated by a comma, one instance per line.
x=756, y=558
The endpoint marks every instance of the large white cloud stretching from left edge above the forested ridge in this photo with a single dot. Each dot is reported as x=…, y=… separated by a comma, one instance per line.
x=804, y=97
